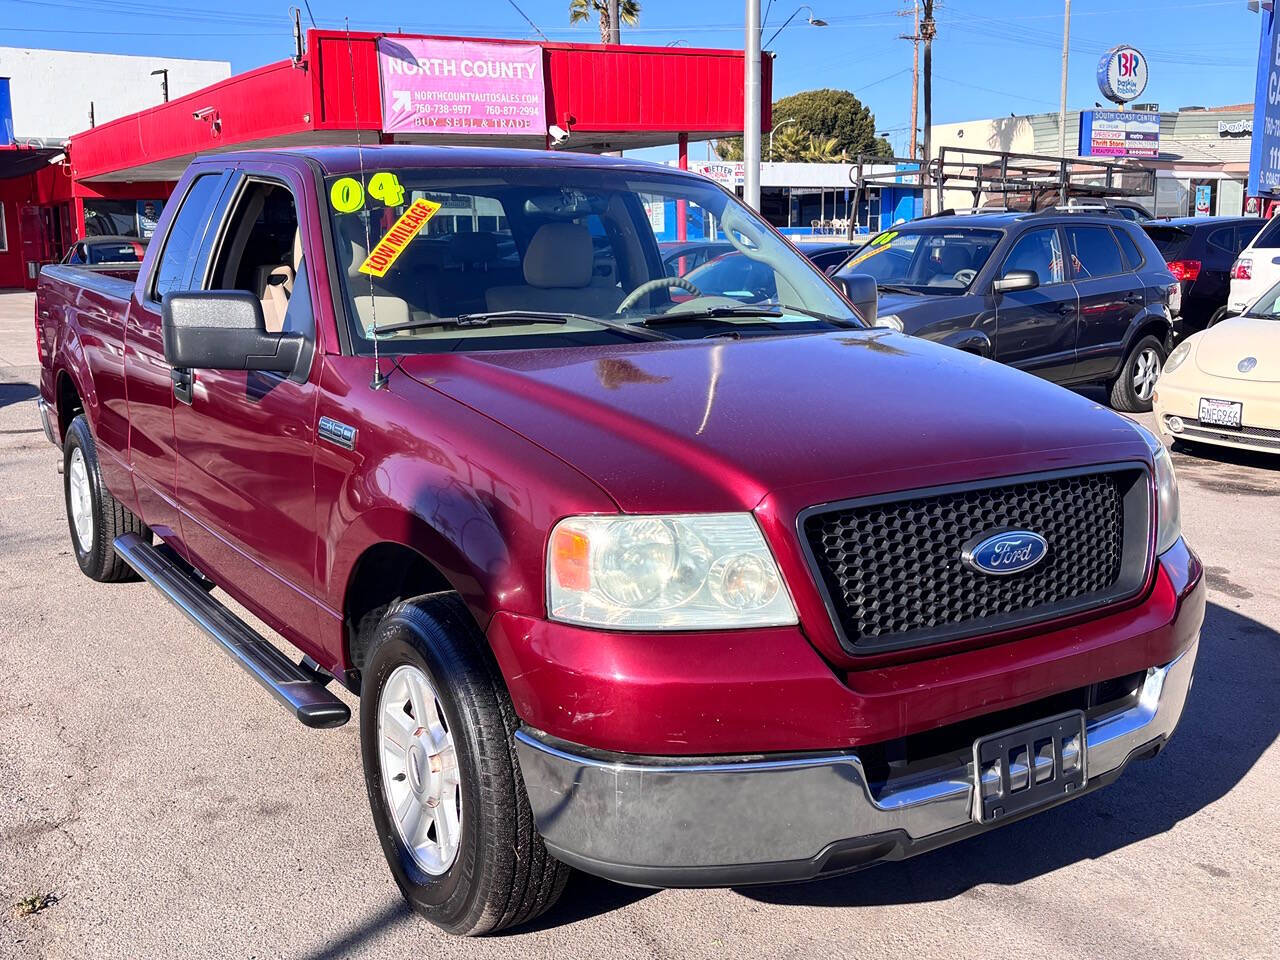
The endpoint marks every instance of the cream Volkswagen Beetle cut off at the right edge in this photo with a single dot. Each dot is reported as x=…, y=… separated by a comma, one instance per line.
x=1223, y=386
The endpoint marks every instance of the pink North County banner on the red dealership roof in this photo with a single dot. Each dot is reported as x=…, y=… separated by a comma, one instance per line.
x=461, y=86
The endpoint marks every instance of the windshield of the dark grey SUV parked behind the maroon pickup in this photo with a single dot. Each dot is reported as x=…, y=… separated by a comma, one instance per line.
x=925, y=262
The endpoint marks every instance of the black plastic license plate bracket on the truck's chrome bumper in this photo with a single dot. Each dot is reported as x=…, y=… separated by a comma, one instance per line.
x=1028, y=767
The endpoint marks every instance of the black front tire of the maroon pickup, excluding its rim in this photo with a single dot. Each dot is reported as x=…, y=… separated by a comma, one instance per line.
x=502, y=875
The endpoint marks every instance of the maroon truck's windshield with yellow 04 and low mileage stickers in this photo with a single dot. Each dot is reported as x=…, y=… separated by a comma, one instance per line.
x=419, y=249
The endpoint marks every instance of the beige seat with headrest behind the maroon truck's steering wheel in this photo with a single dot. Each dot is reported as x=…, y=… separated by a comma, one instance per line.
x=559, y=267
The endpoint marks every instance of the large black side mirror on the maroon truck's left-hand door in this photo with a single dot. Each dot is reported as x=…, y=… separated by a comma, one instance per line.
x=225, y=331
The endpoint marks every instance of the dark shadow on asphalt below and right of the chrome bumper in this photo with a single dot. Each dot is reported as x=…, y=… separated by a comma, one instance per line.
x=1232, y=717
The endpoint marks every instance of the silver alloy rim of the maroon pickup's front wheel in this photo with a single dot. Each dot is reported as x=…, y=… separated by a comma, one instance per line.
x=420, y=770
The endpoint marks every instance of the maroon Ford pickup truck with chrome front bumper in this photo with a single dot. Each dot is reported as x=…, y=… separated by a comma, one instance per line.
x=678, y=588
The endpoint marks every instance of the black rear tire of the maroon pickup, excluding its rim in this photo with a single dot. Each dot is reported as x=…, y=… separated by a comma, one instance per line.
x=108, y=518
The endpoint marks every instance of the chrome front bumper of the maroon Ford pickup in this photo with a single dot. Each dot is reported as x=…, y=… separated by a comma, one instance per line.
x=756, y=821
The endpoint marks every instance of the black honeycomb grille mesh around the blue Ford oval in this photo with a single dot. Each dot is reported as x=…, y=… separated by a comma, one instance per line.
x=894, y=570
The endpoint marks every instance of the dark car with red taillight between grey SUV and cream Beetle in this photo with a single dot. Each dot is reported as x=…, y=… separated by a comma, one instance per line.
x=1200, y=253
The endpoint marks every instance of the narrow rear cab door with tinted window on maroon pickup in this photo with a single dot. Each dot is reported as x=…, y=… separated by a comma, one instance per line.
x=149, y=385
